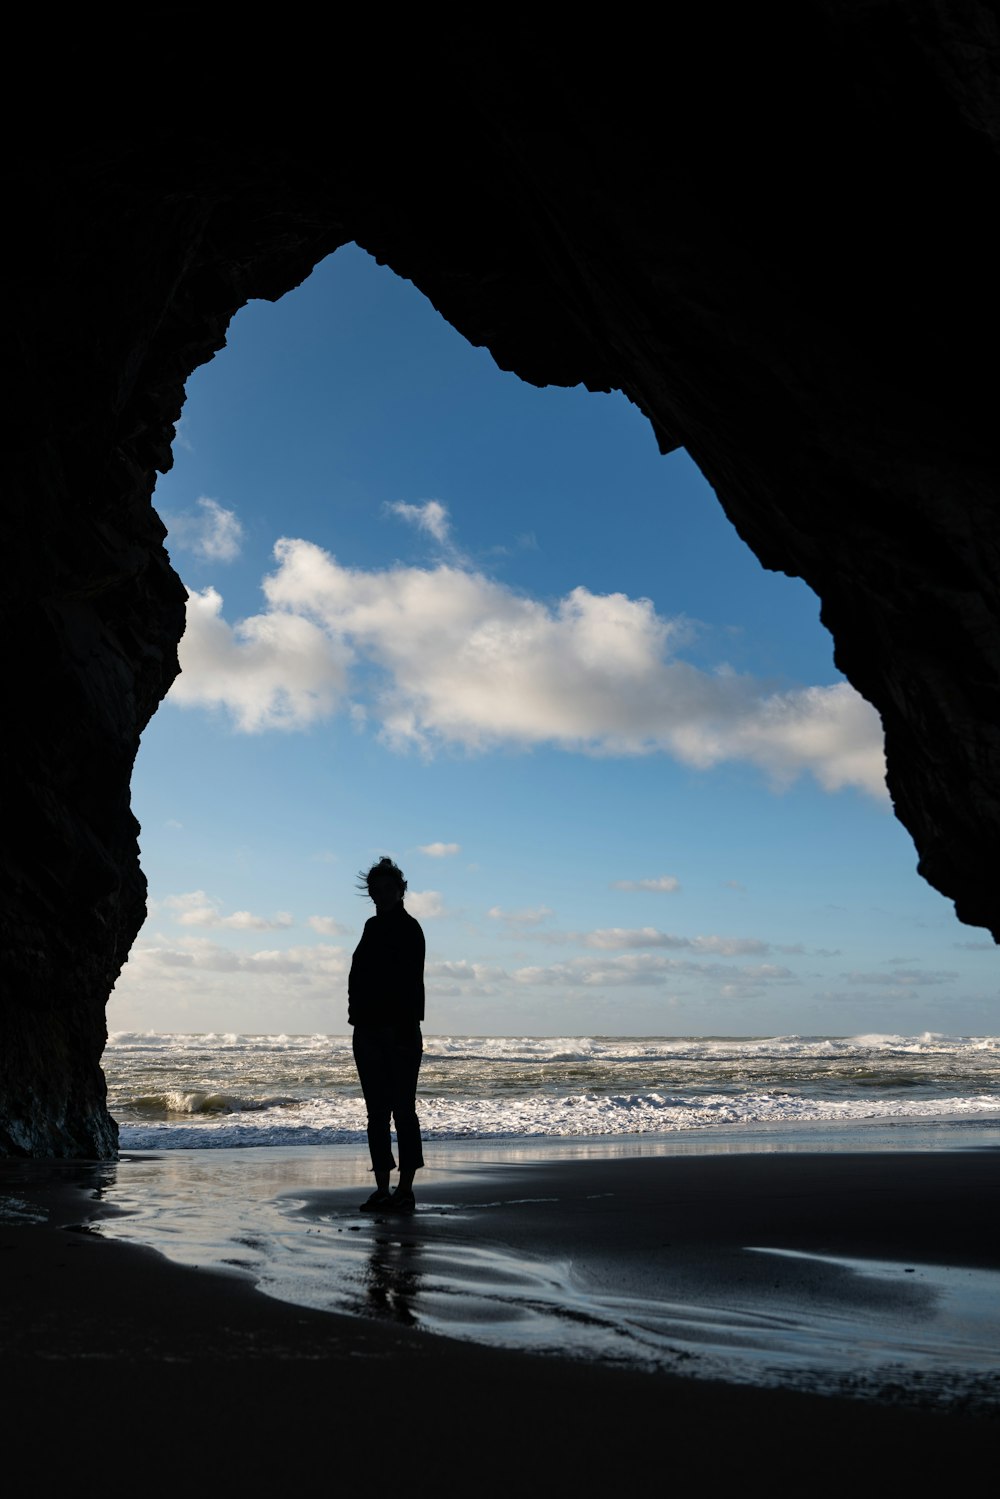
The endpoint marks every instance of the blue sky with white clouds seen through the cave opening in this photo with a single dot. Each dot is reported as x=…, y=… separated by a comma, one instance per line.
x=493, y=632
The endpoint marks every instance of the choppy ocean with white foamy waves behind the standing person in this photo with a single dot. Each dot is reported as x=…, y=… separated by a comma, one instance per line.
x=197, y=1092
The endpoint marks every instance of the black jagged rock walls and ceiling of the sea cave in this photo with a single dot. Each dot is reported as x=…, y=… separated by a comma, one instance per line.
x=776, y=236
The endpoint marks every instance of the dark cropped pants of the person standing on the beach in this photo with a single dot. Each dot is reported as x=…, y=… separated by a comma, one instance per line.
x=389, y=1059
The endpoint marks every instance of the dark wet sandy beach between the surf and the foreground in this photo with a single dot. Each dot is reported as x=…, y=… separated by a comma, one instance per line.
x=753, y=1318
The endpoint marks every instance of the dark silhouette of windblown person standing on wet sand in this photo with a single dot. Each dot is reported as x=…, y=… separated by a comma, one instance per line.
x=386, y=1005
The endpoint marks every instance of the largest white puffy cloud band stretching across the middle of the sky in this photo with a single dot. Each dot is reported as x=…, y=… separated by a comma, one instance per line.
x=448, y=657
